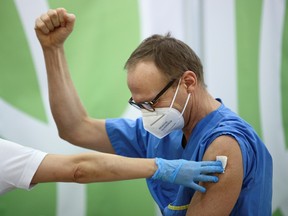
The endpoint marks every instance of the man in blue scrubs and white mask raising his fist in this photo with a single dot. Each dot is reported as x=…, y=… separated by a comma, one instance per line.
x=180, y=119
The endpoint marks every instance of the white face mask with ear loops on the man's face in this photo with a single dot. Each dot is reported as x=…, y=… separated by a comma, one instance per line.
x=163, y=121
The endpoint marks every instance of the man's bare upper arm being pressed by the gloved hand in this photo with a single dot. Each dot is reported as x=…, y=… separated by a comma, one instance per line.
x=221, y=197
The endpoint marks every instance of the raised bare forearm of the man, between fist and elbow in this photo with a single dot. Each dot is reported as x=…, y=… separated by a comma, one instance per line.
x=66, y=106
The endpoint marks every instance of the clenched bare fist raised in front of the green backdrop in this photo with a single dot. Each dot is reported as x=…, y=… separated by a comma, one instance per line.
x=53, y=27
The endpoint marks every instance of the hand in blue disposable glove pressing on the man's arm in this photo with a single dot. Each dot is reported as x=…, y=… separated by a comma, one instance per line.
x=187, y=173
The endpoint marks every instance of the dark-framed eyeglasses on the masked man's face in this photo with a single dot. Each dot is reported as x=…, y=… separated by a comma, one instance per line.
x=148, y=105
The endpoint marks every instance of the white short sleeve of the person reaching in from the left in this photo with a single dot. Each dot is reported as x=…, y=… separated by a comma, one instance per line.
x=18, y=165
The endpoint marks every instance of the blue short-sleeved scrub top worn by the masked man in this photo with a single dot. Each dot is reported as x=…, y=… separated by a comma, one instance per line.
x=129, y=138
